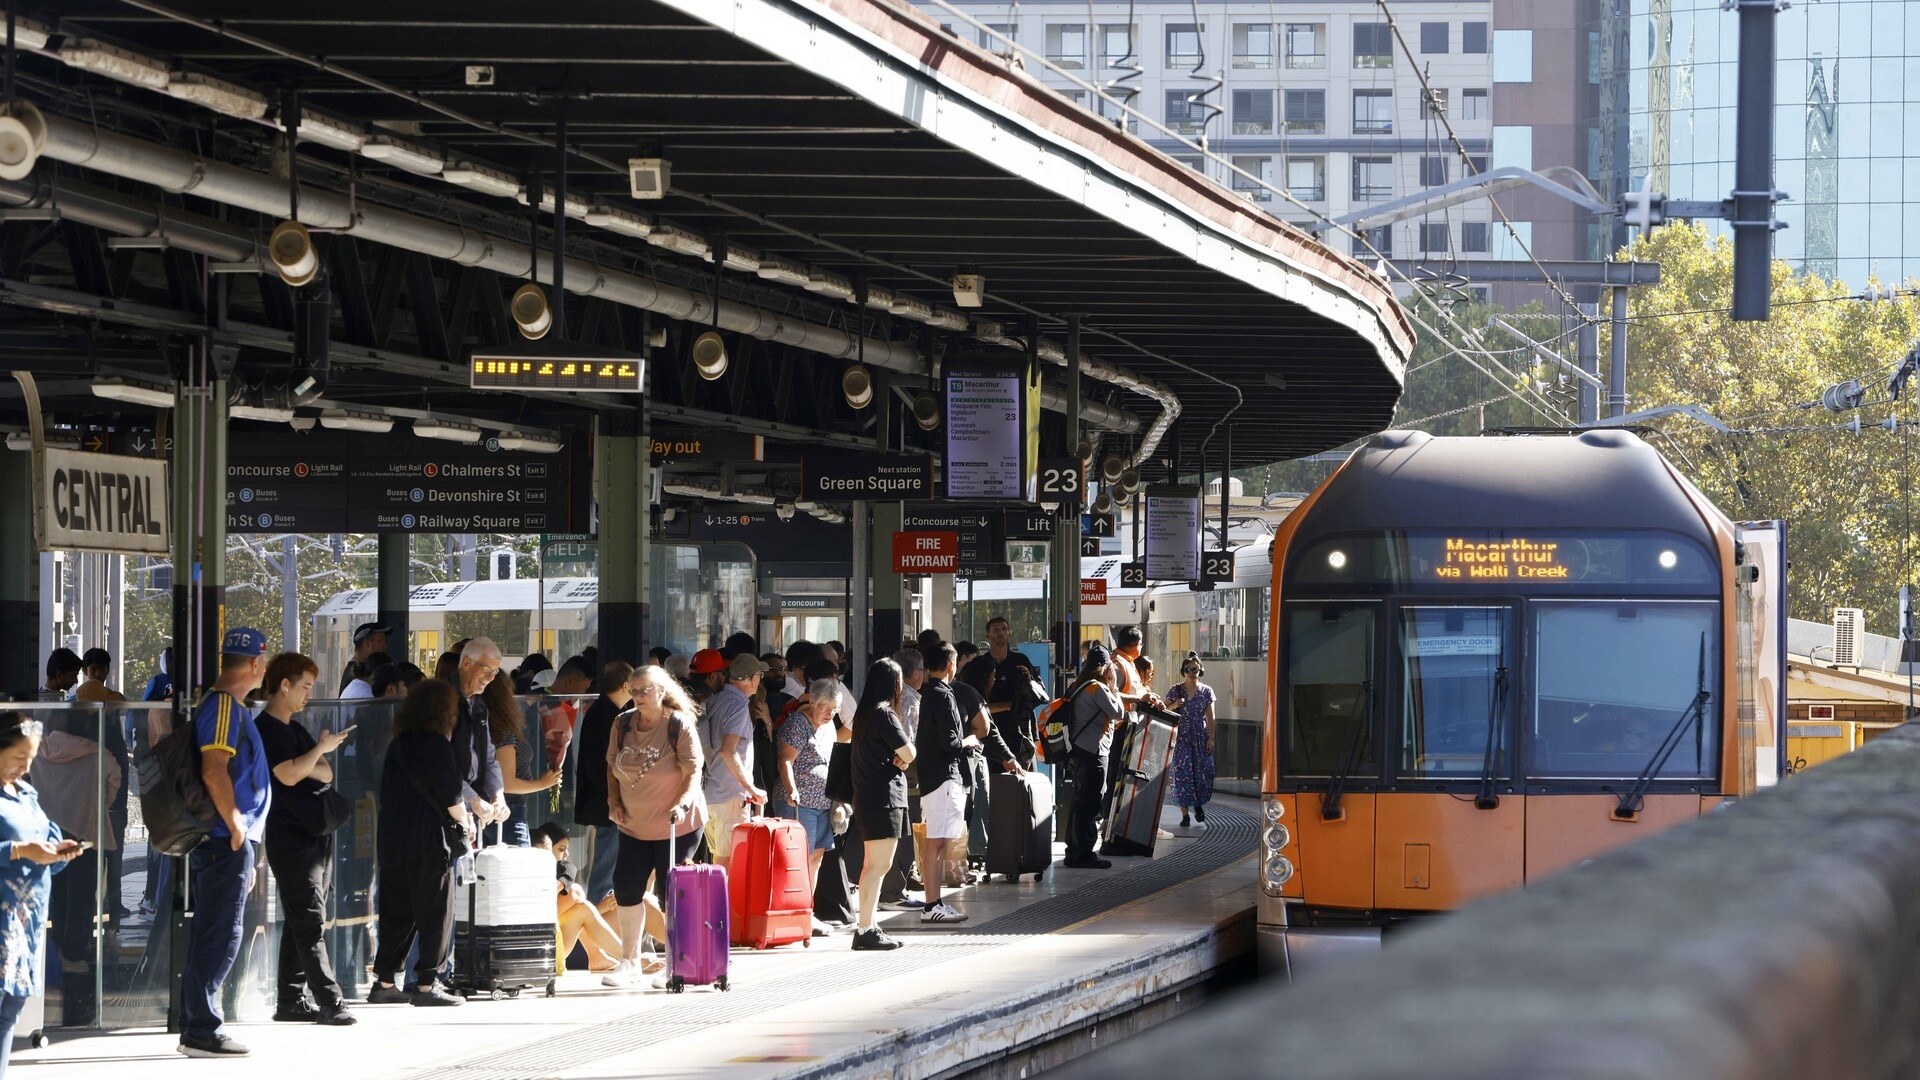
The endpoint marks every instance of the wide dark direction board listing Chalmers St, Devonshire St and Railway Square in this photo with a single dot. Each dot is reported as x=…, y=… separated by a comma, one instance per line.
x=366, y=483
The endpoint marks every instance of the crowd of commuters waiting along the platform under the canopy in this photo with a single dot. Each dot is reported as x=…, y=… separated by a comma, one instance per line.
x=892, y=791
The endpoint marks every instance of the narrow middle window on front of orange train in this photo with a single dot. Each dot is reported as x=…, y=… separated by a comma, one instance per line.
x=1454, y=685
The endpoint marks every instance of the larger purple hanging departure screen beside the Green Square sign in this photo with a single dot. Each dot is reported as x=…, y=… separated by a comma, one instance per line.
x=994, y=428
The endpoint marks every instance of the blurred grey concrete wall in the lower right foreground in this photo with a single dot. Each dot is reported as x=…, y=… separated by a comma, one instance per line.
x=1777, y=939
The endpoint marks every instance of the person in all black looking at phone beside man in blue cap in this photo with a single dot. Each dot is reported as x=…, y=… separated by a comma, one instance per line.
x=300, y=848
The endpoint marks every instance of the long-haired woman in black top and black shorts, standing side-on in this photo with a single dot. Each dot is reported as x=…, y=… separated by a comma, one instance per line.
x=880, y=758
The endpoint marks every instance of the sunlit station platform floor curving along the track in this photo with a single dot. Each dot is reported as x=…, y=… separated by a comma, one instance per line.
x=1038, y=971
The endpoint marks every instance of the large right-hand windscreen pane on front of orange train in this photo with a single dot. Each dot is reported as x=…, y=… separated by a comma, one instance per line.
x=1618, y=685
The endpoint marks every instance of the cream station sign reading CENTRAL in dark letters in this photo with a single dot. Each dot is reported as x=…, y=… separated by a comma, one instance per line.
x=103, y=503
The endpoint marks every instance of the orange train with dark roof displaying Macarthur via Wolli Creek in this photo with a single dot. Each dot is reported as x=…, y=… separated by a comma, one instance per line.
x=1495, y=658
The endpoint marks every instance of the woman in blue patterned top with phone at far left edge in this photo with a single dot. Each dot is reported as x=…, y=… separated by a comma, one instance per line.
x=34, y=854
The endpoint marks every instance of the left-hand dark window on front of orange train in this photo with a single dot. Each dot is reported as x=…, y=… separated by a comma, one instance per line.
x=1330, y=687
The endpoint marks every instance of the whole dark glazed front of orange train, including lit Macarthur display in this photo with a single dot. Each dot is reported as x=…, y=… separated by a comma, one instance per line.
x=1572, y=658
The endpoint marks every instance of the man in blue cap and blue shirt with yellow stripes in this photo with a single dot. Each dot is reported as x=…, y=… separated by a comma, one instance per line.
x=233, y=766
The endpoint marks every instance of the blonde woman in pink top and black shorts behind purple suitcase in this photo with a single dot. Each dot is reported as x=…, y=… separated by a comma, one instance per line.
x=654, y=798
